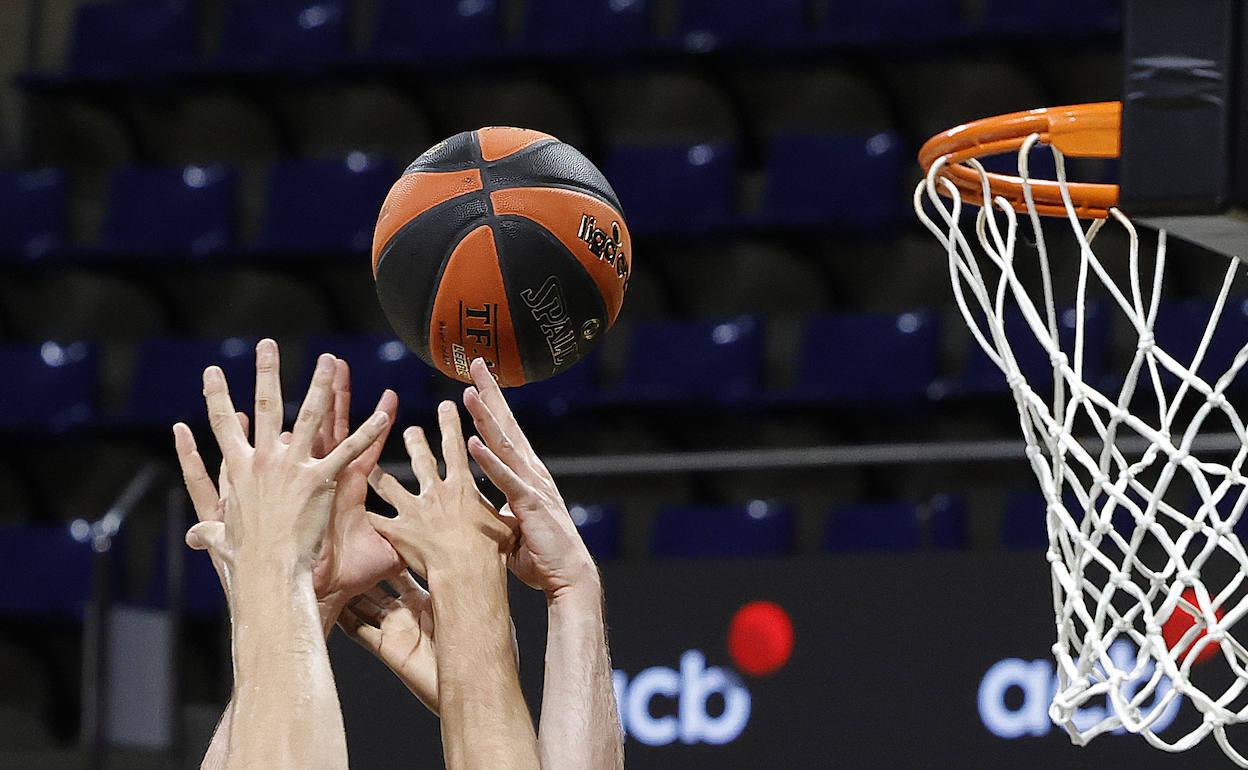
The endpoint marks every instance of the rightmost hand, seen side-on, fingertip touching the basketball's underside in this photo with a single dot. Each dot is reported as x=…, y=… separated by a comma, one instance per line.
x=551, y=555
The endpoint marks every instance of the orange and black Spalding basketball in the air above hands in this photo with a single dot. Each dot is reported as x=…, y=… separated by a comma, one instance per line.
x=502, y=244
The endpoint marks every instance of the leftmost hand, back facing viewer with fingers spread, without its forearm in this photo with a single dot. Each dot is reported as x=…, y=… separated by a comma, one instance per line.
x=279, y=492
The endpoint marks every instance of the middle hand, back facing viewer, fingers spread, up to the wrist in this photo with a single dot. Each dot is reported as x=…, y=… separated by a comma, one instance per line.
x=450, y=524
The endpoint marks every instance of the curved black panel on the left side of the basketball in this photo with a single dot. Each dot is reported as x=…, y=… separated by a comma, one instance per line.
x=411, y=265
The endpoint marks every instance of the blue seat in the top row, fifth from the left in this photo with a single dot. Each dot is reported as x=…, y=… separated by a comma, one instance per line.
x=707, y=26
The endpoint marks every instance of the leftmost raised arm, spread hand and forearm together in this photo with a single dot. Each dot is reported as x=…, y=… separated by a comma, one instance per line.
x=265, y=536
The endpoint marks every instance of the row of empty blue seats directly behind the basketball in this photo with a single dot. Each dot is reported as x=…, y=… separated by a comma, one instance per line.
x=329, y=207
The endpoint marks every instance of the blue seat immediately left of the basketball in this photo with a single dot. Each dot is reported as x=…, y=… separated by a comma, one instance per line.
x=325, y=207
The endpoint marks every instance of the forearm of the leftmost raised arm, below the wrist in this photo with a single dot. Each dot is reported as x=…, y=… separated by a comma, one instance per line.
x=285, y=711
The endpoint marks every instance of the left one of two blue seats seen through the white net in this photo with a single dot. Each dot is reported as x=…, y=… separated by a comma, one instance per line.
x=980, y=376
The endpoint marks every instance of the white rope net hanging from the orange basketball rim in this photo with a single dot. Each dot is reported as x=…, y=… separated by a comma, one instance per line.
x=1138, y=543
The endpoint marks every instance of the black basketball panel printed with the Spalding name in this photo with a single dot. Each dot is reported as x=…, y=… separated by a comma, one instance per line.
x=551, y=296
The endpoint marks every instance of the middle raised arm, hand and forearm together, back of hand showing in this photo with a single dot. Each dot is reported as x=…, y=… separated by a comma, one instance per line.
x=459, y=542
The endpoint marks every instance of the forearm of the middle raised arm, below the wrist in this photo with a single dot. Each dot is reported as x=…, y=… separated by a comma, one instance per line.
x=486, y=723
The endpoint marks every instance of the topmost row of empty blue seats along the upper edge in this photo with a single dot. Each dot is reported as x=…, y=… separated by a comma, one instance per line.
x=139, y=38
